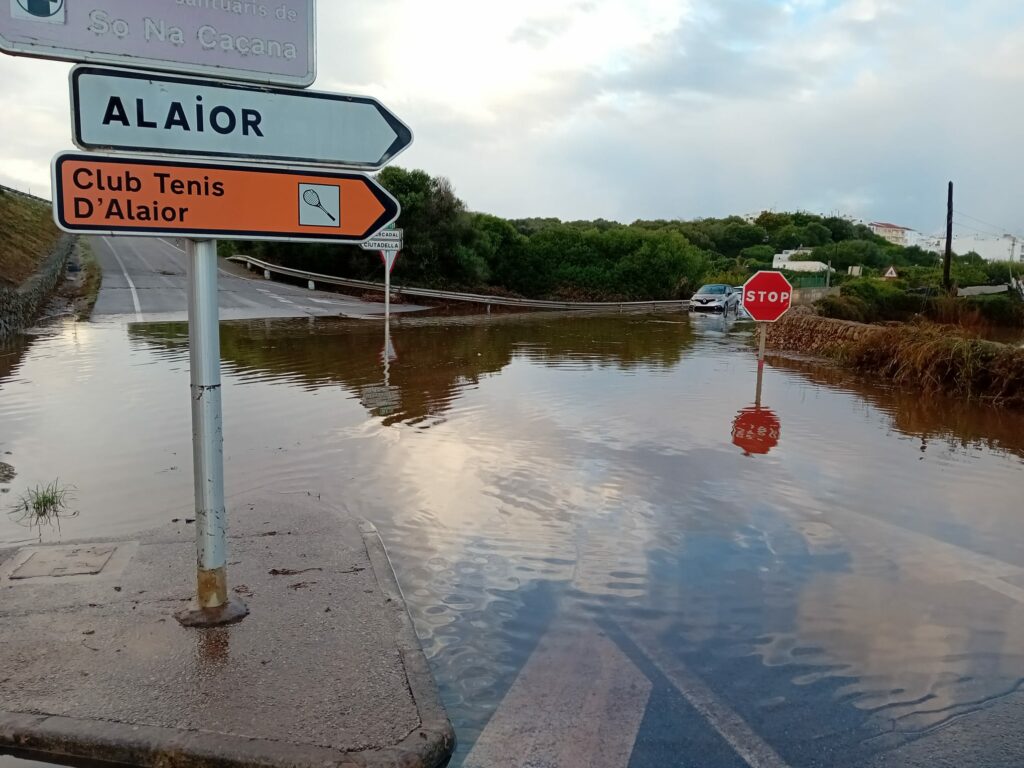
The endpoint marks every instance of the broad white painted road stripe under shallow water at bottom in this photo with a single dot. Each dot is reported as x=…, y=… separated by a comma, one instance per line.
x=578, y=703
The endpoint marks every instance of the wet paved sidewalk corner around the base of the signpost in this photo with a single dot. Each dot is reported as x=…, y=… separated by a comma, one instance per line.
x=326, y=670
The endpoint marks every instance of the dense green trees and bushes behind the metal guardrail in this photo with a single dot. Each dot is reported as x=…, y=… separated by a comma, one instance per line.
x=450, y=247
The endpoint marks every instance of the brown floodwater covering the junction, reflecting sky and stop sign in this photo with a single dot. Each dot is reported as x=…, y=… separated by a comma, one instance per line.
x=834, y=578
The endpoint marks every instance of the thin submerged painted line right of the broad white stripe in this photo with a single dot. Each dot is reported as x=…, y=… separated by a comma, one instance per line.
x=727, y=722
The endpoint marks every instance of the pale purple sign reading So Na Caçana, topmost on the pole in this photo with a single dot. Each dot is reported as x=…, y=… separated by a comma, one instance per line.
x=266, y=41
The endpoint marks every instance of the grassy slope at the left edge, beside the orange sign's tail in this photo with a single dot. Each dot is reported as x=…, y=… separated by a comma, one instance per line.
x=28, y=236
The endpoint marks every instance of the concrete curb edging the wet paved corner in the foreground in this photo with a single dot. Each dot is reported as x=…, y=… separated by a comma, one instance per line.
x=55, y=739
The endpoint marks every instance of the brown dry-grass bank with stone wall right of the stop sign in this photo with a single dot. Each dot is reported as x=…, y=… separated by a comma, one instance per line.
x=930, y=359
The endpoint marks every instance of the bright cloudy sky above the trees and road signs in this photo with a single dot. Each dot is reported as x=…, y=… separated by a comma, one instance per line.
x=633, y=110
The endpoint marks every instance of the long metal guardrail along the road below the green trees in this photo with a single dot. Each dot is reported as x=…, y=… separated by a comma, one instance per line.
x=428, y=293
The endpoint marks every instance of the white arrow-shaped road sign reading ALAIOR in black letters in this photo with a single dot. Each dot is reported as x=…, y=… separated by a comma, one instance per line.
x=143, y=112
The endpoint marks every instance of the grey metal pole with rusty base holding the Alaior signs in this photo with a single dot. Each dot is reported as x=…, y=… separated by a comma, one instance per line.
x=214, y=607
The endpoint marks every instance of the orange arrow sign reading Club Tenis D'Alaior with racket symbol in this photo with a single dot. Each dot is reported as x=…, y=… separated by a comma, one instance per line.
x=142, y=196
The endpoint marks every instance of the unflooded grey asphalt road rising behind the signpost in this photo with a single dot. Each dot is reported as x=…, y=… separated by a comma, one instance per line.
x=146, y=280
